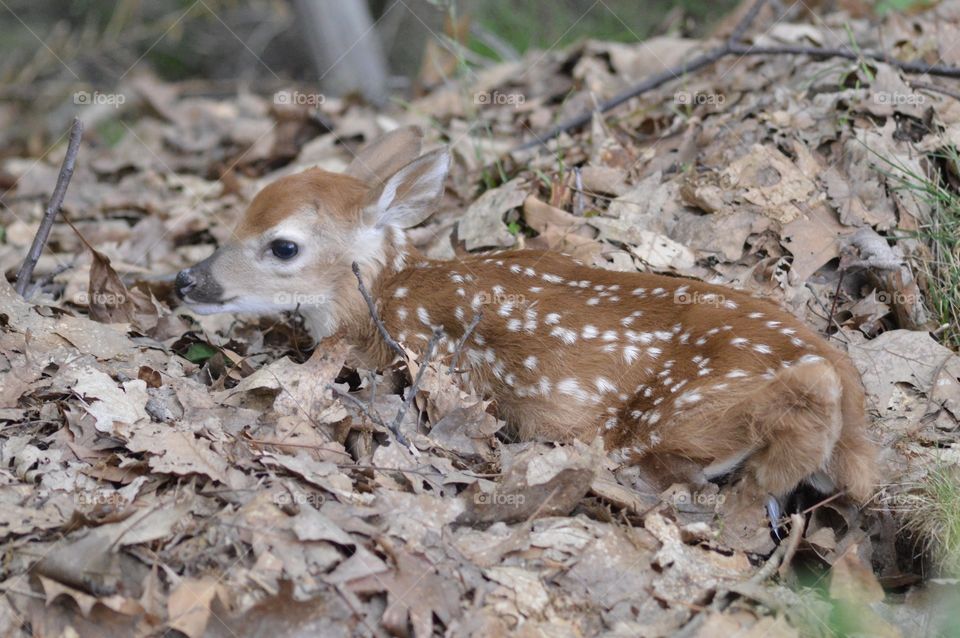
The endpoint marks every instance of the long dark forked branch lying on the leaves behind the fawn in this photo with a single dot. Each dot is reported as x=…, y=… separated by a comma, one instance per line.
x=732, y=46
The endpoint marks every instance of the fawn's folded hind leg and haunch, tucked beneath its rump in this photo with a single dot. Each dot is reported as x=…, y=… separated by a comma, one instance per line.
x=777, y=433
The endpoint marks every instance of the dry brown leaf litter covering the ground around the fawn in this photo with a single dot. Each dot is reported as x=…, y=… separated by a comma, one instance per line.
x=207, y=475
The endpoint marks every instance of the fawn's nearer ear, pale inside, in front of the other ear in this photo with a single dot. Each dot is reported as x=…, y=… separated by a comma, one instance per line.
x=410, y=196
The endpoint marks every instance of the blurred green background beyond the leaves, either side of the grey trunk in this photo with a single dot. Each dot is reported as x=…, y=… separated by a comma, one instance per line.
x=231, y=41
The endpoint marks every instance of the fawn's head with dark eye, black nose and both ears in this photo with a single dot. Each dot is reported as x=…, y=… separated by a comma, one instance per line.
x=300, y=235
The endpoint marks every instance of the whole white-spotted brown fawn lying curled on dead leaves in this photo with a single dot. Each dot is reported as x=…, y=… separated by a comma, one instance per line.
x=669, y=371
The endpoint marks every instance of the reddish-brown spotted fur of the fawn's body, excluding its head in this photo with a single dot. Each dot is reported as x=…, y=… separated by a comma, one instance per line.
x=805, y=418
